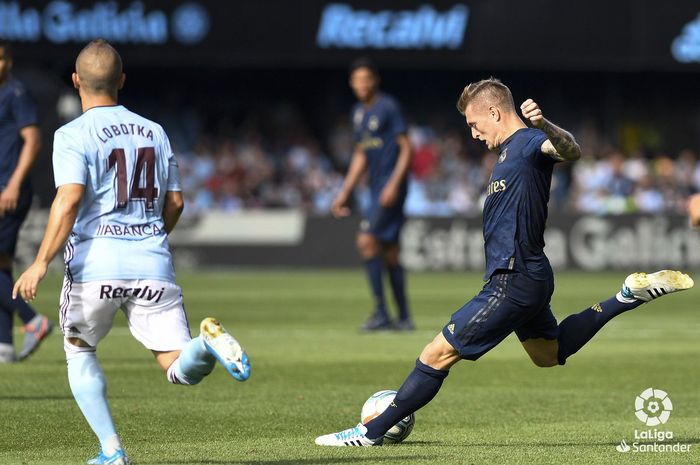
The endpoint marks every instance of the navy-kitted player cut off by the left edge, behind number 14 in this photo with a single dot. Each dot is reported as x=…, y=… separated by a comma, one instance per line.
x=20, y=141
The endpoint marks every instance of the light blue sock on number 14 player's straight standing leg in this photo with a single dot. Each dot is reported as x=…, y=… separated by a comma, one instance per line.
x=87, y=382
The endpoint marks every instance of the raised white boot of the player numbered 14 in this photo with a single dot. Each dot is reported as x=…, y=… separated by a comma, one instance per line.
x=225, y=348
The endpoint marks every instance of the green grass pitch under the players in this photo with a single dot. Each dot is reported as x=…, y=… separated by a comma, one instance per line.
x=312, y=371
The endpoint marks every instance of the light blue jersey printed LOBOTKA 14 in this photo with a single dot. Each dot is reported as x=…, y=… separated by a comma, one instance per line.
x=126, y=165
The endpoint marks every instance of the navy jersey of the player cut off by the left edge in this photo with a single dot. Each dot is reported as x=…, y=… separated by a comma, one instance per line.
x=17, y=110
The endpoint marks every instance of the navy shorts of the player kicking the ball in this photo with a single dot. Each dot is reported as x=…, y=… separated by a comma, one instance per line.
x=510, y=301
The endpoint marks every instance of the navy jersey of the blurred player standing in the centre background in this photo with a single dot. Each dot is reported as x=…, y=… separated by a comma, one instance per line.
x=375, y=129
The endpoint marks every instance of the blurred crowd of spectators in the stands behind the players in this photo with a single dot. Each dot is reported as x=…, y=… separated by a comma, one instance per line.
x=449, y=174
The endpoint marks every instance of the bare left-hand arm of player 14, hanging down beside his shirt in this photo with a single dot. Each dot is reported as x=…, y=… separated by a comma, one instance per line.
x=64, y=210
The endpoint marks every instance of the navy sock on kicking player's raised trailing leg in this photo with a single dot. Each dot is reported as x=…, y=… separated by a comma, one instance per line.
x=577, y=329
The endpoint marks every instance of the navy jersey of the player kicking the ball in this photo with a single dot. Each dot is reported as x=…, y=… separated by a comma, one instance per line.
x=515, y=211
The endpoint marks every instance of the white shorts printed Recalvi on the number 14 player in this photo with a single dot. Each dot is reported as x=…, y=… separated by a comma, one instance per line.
x=153, y=309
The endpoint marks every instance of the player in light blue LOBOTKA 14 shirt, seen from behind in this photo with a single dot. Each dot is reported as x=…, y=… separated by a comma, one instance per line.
x=118, y=198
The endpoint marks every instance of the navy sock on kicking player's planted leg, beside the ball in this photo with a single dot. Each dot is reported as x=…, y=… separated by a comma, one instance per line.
x=419, y=388
